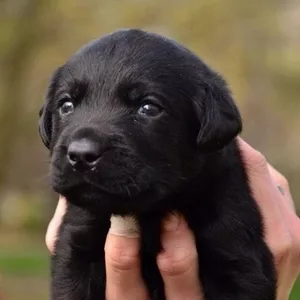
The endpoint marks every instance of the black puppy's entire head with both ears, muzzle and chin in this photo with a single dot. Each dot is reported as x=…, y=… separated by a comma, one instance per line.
x=129, y=118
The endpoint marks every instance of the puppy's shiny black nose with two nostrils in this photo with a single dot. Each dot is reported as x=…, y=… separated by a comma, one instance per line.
x=84, y=153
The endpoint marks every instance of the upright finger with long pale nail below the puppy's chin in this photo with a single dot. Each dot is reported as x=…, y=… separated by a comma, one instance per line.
x=124, y=280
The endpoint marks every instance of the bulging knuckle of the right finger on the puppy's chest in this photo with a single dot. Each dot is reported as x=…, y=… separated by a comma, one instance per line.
x=177, y=263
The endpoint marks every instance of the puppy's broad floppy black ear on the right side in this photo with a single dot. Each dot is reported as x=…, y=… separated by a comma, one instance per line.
x=219, y=118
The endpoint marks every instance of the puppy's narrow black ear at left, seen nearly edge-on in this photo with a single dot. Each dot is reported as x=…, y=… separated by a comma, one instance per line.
x=45, y=121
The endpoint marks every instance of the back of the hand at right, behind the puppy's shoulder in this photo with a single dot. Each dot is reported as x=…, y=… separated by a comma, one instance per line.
x=282, y=226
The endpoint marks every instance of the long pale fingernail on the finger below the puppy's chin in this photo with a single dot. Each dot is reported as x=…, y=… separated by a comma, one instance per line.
x=124, y=226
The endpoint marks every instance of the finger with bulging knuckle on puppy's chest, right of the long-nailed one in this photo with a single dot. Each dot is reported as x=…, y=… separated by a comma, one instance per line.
x=178, y=263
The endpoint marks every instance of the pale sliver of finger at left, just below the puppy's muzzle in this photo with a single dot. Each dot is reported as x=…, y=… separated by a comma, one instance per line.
x=54, y=224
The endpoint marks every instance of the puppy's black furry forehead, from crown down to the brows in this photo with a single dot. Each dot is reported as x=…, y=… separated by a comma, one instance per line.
x=127, y=59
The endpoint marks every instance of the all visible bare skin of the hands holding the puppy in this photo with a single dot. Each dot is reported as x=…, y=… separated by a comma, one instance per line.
x=177, y=263
